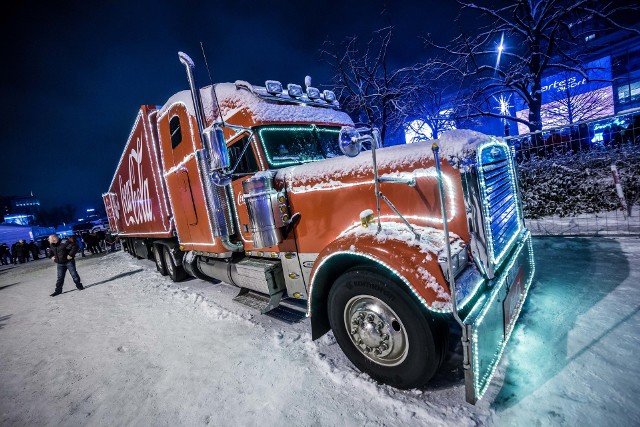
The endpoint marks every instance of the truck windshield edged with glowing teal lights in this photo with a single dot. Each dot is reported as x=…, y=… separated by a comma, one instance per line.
x=293, y=145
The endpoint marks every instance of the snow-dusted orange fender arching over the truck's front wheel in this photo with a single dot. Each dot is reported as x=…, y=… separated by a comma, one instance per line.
x=411, y=262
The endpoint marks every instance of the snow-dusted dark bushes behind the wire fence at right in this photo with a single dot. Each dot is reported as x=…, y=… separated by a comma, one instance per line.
x=569, y=184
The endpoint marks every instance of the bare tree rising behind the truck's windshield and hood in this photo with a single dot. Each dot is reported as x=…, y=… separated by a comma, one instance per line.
x=368, y=87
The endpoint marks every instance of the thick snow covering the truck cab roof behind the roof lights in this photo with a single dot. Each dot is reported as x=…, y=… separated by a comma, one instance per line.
x=233, y=97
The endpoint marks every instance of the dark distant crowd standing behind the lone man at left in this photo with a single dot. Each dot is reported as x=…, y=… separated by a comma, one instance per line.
x=93, y=243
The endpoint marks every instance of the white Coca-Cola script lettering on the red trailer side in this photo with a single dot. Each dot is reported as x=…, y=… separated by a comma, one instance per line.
x=134, y=192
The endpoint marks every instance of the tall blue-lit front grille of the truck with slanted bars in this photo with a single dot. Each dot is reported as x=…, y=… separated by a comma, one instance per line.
x=497, y=183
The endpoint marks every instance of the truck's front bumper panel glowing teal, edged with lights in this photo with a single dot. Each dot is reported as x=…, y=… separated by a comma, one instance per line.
x=490, y=322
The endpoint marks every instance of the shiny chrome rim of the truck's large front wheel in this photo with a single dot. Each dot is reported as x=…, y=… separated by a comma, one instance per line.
x=376, y=330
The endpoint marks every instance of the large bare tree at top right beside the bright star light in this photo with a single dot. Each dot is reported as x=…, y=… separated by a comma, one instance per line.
x=543, y=37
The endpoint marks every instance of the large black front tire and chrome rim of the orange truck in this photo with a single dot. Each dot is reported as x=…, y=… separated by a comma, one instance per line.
x=382, y=331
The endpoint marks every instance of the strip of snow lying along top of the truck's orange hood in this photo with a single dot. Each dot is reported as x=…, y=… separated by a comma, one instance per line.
x=454, y=145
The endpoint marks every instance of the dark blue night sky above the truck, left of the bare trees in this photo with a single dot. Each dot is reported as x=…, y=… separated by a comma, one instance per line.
x=74, y=74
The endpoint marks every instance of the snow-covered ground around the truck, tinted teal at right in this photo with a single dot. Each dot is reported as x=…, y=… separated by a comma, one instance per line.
x=136, y=349
